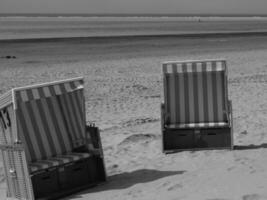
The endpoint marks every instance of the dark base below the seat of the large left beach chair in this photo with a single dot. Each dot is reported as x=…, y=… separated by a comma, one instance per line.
x=68, y=179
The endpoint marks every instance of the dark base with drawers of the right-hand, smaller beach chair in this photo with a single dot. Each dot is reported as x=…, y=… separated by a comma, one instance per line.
x=194, y=139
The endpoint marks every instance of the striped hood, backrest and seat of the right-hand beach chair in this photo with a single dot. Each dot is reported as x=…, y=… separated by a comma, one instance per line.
x=195, y=93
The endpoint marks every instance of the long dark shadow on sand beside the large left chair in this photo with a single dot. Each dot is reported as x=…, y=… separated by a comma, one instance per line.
x=128, y=179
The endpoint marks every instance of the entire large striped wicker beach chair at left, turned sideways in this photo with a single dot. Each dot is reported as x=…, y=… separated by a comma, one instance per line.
x=48, y=150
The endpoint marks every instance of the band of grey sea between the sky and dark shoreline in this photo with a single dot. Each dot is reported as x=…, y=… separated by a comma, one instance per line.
x=27, y=26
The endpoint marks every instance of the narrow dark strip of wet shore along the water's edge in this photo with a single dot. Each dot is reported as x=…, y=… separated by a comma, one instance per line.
x=140, y=37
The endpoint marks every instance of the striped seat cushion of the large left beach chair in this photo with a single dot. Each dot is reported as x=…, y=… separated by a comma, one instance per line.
x=56, y=161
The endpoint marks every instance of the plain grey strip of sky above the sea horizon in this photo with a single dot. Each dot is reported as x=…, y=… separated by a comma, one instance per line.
x=135, y=6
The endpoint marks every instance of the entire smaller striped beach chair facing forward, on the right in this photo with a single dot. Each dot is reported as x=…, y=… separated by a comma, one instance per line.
x=196, y=113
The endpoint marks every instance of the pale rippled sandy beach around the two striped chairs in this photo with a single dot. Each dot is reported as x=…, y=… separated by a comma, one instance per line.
x=123, y=83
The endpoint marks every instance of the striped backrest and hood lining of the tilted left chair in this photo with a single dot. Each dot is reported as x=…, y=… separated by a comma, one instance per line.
x=51, y=119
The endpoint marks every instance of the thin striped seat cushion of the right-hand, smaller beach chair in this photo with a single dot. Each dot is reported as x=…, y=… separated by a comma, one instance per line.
x=198, y=125
